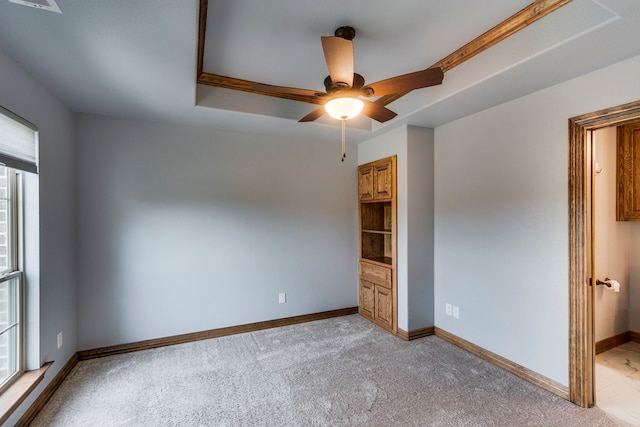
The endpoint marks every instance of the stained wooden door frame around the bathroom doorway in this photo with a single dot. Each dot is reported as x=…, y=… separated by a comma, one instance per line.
x=581, y=345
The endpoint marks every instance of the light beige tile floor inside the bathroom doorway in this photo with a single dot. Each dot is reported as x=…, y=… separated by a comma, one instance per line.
x=618, y=382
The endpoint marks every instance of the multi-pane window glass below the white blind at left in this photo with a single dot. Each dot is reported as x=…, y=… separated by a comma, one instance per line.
x=10, y=280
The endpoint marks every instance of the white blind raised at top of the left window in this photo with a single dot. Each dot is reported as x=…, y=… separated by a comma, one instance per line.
x=18, y=142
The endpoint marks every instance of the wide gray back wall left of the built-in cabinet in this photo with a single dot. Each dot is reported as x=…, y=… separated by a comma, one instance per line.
x=184, y=229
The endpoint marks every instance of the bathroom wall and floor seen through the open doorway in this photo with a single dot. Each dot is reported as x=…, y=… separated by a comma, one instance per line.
x=616, y=257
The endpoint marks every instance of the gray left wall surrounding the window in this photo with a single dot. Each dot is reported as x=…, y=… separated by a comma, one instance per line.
x=22, y=94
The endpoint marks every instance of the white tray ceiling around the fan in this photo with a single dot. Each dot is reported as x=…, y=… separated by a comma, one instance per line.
x=137, y=58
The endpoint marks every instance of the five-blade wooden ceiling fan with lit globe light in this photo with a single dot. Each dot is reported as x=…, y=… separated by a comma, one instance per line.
x=344, y=88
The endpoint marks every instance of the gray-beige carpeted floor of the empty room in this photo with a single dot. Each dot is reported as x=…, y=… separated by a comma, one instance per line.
x=337, y=372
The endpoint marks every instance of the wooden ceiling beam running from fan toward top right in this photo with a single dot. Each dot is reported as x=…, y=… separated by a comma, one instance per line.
x=527, y=16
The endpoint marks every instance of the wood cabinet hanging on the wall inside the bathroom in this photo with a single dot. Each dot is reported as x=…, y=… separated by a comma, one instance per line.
x=628, y=173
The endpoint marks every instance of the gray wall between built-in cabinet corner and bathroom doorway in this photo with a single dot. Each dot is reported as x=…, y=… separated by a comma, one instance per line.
x=501, y=222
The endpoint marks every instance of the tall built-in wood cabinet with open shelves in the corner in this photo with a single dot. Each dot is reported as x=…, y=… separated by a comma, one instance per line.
x=378, y=229
